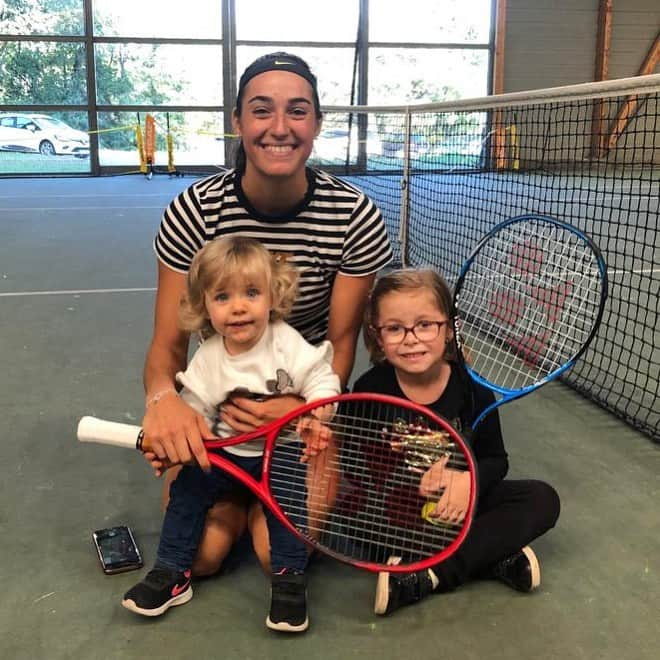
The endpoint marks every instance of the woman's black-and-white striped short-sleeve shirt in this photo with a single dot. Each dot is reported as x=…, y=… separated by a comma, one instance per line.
x=335, y=229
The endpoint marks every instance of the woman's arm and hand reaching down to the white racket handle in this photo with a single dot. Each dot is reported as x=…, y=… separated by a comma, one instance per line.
x=174, y=429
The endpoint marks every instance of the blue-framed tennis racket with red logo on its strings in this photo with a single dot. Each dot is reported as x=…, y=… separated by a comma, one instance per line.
x=527, y=302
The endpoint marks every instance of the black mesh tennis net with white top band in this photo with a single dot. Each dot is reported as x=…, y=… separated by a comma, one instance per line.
x=444, y=174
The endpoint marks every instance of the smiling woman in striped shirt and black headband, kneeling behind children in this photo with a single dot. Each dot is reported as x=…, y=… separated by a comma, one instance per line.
x=331, y=232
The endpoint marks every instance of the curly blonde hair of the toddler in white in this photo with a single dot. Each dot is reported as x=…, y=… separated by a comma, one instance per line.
x=224, y=259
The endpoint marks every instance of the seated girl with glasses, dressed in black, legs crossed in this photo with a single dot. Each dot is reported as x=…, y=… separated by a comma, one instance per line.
x=408, y=331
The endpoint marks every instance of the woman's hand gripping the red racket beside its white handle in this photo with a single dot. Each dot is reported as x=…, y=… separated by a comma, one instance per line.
x=175, y=433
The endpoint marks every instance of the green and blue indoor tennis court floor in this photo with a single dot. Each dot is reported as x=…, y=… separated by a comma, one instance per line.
x=76, y=298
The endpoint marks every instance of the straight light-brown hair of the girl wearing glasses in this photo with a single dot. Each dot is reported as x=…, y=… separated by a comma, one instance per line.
x=402, y=280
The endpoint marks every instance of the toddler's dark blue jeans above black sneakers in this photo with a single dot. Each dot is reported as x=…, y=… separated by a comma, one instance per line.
x=194, y=492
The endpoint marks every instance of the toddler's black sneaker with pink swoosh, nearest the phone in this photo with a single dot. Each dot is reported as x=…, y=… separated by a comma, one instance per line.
x=161, y=589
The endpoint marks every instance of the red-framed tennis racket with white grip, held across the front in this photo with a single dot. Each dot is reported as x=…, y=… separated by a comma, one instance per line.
x=358, y=500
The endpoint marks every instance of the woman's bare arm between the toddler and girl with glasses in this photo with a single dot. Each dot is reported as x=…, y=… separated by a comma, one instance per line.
x=347, y=303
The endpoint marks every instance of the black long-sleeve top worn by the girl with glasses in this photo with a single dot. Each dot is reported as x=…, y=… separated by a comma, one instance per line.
x=460, y=403
